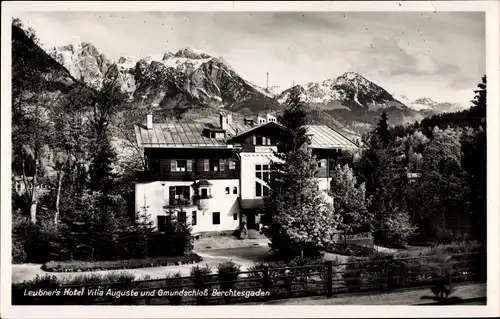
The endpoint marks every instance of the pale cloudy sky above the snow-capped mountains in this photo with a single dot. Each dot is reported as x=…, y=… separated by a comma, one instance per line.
x=441, y=55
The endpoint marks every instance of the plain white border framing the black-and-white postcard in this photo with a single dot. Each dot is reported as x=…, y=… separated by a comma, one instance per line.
x=492, y=48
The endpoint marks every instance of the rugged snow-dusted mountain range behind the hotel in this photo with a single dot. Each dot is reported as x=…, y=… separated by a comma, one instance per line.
x=189, y=79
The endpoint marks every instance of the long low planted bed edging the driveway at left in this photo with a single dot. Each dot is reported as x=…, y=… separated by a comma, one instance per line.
x=78, y=265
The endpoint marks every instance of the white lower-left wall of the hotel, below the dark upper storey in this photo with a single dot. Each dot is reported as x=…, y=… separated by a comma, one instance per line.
x=154, y=195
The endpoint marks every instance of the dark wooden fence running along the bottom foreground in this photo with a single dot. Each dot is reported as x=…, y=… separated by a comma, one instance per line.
x=264, y=283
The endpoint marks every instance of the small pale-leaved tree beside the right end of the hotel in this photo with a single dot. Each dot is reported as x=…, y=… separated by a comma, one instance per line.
x=349, y=200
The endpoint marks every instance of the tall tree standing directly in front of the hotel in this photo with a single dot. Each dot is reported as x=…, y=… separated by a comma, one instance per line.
x=300, y=218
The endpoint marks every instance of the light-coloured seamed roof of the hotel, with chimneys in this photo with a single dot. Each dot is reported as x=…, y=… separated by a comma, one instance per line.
x=190, y=135
